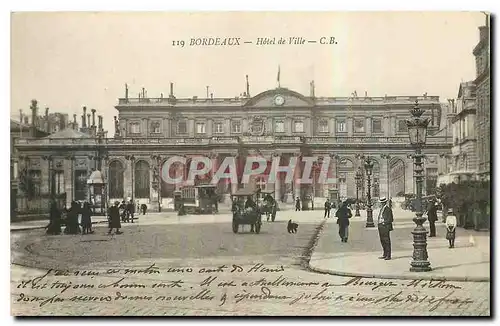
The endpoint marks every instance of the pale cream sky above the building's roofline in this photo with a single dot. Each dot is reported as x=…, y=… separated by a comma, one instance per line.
x=69, y=60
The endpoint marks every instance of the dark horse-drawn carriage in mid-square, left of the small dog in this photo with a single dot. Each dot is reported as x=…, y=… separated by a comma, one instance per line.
x=245, y=210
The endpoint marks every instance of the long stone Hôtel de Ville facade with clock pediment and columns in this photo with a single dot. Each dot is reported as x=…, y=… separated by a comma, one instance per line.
x=275, y=123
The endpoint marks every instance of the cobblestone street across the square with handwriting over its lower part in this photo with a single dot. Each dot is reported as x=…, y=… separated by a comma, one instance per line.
x=205, y=269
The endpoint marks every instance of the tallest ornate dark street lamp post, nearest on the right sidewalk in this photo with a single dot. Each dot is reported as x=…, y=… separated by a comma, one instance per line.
x=417, y=130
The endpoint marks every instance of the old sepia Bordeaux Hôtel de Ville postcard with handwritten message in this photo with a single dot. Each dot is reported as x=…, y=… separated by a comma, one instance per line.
x=250, y=163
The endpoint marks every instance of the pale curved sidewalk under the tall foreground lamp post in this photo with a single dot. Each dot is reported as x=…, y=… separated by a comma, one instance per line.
x=468, y=261
